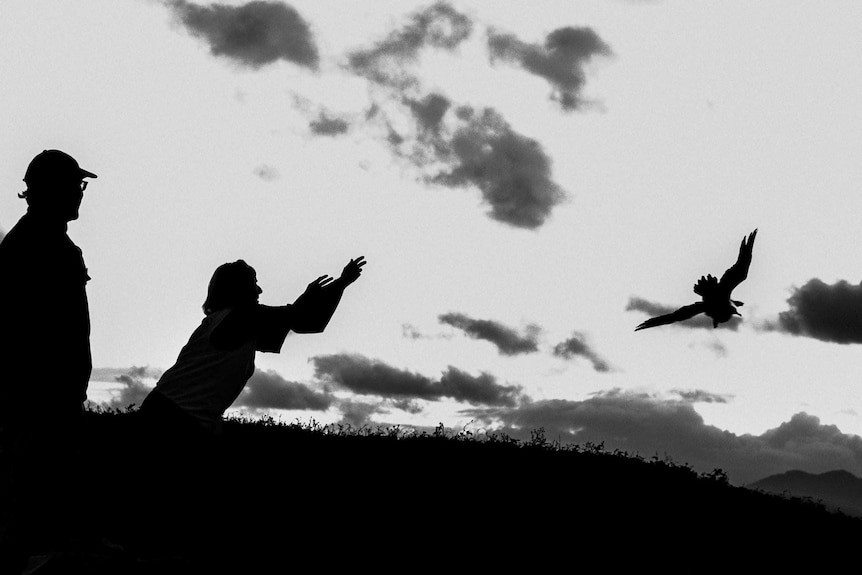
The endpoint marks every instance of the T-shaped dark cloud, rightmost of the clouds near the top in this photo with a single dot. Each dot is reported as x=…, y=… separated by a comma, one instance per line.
x=560, y=60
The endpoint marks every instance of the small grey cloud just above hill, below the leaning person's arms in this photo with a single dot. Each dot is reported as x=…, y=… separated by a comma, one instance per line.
x=268, y=390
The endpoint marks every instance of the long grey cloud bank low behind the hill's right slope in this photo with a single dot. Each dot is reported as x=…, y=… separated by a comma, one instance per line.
x=640, y=423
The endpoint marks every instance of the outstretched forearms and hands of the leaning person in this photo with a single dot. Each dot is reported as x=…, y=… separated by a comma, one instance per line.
x=315, y=307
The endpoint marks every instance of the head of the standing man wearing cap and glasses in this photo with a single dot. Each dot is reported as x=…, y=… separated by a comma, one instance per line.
x=55, y=184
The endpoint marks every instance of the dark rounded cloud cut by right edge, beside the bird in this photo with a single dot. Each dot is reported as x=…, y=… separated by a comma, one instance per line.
x=826, y=312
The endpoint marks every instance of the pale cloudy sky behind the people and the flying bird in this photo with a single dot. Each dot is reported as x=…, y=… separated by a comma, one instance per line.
x=528, y=182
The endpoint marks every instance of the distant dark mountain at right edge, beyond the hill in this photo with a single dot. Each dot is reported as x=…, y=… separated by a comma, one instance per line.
x=835, y=489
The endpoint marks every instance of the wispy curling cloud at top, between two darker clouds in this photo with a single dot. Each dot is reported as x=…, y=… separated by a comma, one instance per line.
x=440, y=26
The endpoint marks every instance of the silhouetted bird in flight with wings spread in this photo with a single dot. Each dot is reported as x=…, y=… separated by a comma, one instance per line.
x=714, y=293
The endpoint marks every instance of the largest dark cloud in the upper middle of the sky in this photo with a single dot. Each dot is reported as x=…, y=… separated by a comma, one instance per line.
x=512, y=171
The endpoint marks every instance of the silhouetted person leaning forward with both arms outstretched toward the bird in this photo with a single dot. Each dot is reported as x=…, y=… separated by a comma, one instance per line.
x=214, y=366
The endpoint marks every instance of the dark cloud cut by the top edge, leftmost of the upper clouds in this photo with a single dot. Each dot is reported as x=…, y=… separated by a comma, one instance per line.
x=254, y=35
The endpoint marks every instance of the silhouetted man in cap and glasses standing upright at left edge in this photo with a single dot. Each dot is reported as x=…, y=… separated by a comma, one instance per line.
x=45, y=356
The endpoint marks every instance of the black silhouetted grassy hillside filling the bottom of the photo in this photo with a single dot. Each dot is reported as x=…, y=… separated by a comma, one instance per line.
x=275, y=498
